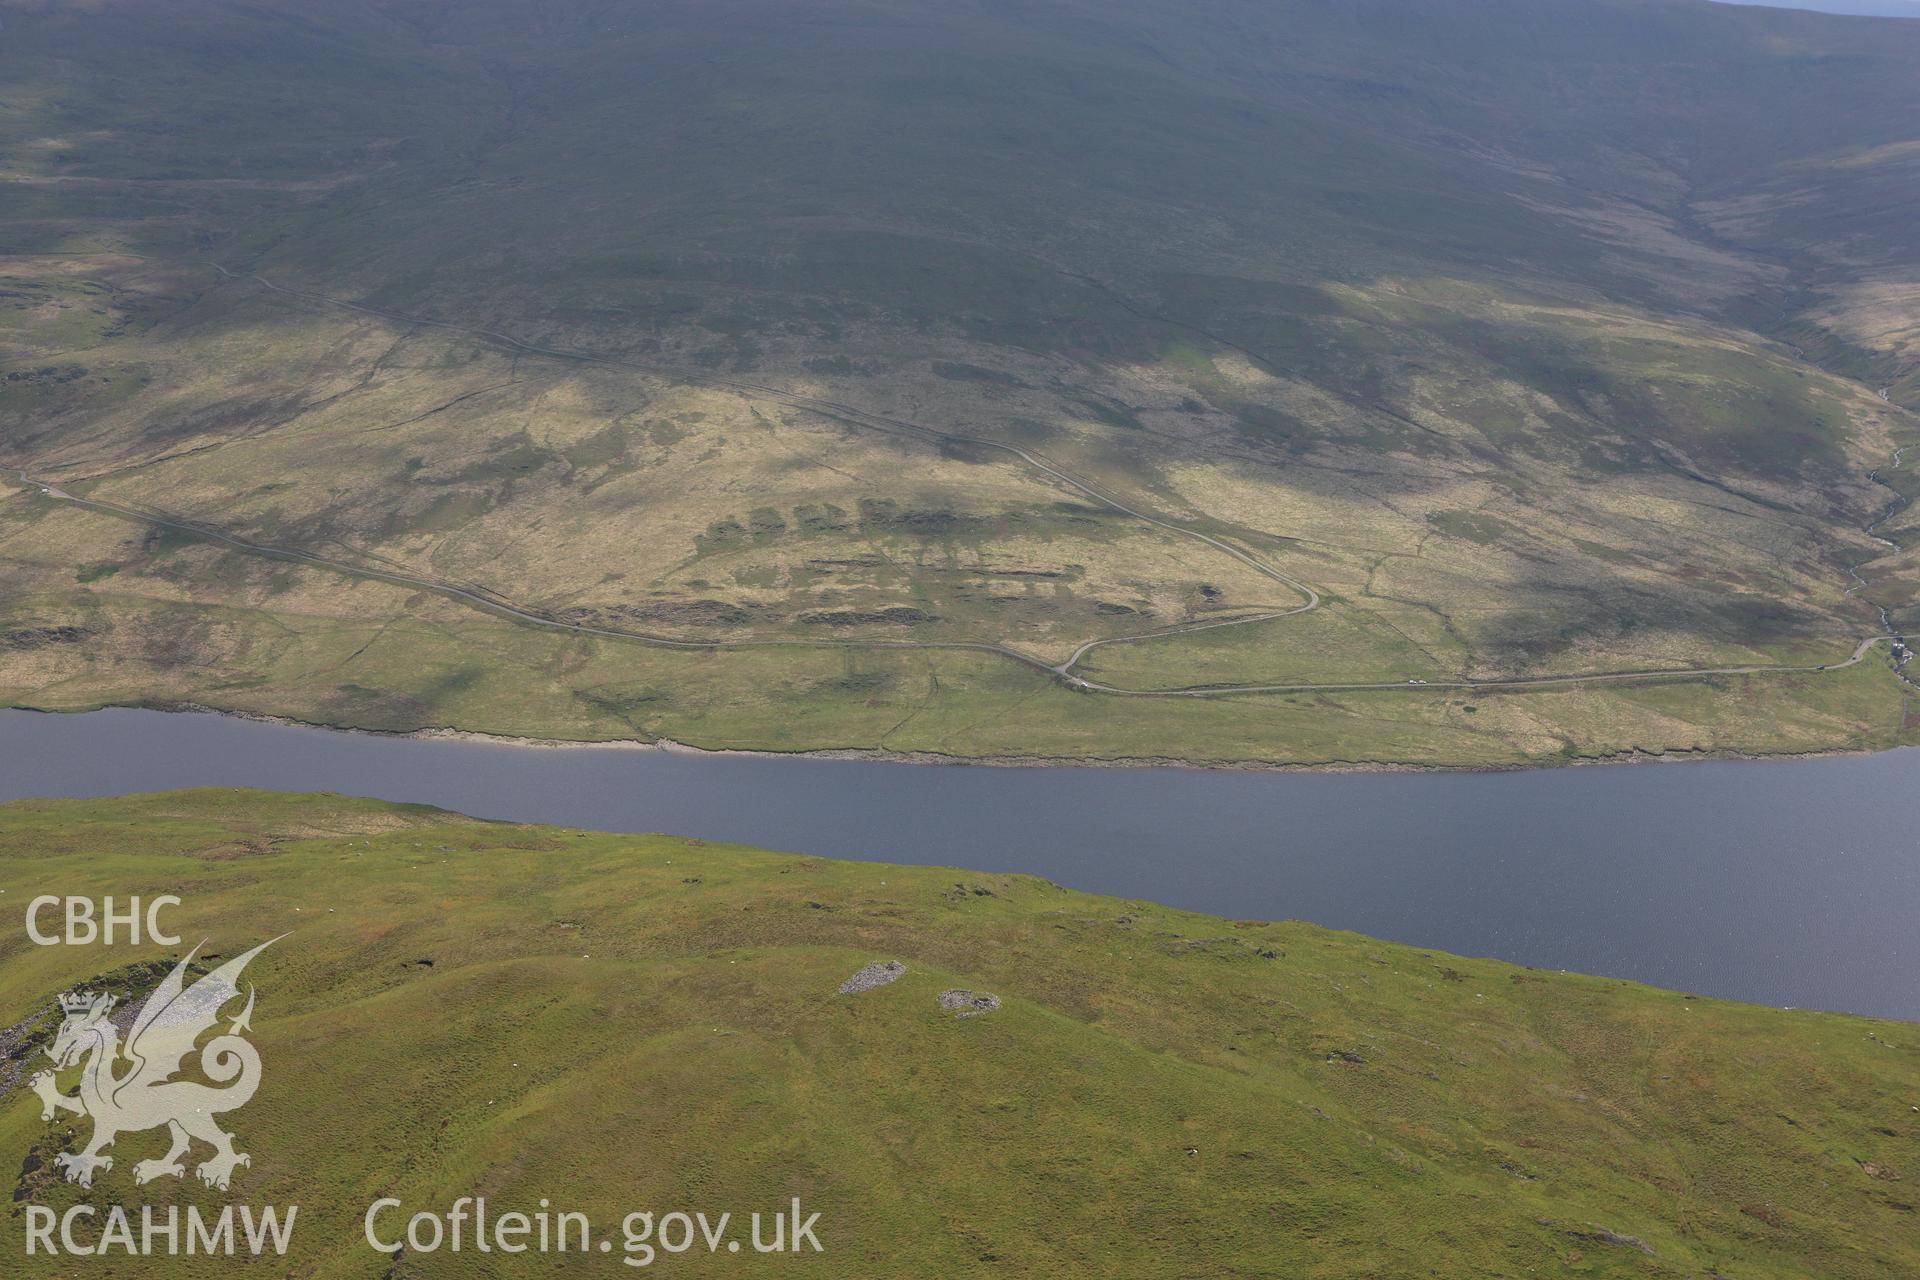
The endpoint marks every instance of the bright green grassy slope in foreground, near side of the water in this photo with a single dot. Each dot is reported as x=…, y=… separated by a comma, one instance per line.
x=654, y=1024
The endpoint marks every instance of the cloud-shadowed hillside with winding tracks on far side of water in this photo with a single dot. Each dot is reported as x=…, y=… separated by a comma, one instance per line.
x=1512, y=339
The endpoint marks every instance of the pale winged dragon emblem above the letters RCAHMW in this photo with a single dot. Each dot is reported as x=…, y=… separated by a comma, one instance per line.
x=130, y=1087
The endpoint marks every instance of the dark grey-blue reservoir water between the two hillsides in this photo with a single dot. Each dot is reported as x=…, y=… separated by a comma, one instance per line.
x=1790, y=884
